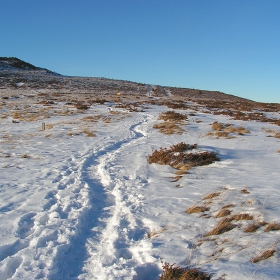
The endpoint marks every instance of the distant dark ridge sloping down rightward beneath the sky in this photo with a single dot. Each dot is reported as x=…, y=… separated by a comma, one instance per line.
x=14, y=71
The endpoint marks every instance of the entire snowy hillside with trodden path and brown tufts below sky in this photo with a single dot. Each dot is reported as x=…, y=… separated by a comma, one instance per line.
x=96, y=185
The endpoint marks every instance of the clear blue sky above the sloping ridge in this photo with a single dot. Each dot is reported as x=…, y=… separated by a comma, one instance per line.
x=231, y=46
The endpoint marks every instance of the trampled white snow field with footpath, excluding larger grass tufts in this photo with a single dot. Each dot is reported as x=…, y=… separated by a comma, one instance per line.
x=79, y=207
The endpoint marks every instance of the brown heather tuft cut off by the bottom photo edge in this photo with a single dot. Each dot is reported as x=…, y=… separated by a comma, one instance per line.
x=172, y=272
